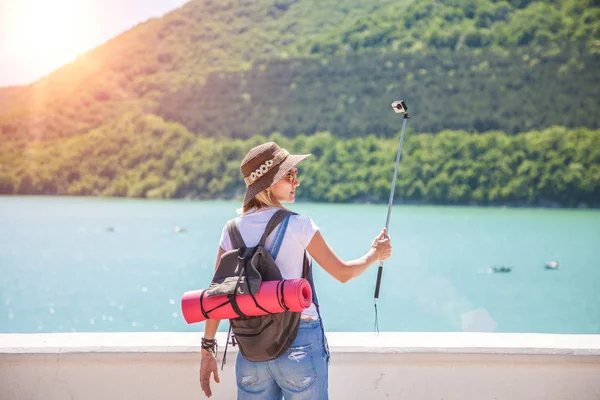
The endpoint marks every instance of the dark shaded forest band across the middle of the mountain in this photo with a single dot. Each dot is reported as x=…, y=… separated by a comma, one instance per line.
x=350, y=95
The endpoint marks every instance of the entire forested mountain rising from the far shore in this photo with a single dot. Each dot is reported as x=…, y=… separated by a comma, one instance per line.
x=503, y=97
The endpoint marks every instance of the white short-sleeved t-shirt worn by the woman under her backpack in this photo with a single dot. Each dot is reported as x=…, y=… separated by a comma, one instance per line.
x=298, y=235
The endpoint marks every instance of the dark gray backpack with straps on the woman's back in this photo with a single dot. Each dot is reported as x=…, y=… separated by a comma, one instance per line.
x=241, y=272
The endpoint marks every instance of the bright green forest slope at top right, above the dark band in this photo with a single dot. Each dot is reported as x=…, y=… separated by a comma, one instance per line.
x=540, y=26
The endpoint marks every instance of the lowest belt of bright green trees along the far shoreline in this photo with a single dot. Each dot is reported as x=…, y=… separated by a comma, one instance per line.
x=145, y=156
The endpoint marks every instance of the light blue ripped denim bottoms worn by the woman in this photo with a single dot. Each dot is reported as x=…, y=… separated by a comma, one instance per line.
x=301, y=373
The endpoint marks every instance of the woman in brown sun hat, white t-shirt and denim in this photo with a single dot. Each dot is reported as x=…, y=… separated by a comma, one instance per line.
x=271, y=178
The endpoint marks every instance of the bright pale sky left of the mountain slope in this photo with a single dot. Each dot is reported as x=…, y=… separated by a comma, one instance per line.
x=39, y=36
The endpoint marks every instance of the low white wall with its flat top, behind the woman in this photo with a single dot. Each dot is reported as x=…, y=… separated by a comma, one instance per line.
x=437, y=366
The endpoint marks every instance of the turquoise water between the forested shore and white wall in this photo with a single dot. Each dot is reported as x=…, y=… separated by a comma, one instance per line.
x=63, y=270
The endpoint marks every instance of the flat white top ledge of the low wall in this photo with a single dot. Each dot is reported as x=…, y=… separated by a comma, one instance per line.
x=339, y=342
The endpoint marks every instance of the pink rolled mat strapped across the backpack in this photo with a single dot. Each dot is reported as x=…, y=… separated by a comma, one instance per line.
x=273, y=296
